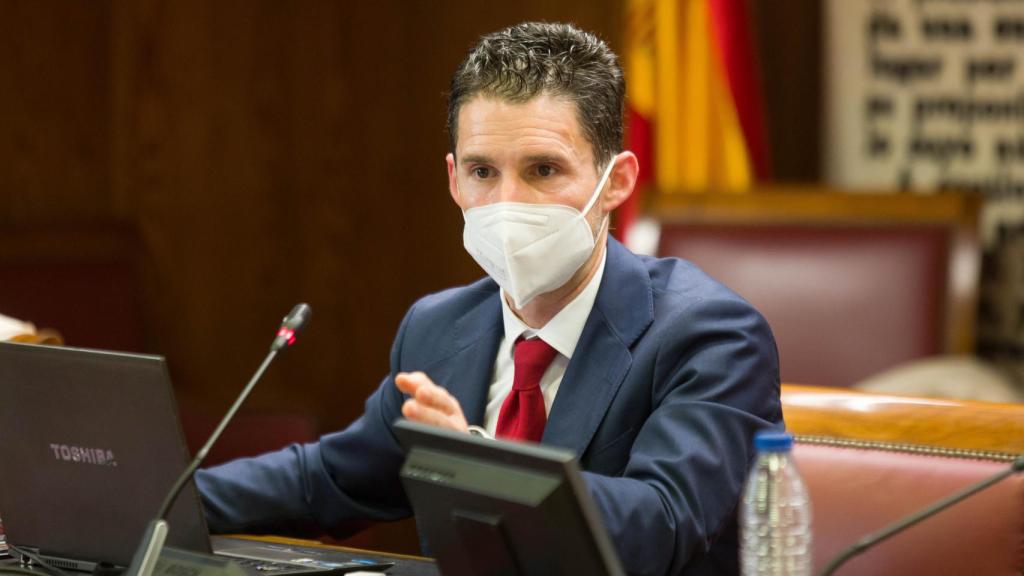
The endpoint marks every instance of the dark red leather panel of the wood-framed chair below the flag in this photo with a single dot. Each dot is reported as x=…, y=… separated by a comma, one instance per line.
x=844, y=303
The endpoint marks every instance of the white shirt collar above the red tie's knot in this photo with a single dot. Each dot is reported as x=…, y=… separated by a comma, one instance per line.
x=562, y=333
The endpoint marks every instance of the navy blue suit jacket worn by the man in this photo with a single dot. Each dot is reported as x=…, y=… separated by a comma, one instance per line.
x=671, y=379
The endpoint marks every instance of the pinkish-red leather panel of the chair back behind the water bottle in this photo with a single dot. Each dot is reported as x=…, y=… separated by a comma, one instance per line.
x=859, y=491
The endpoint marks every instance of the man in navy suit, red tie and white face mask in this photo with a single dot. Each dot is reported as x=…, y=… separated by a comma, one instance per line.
x=653, y=374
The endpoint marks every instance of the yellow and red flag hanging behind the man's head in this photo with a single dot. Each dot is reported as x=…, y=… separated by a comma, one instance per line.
x=695, y=111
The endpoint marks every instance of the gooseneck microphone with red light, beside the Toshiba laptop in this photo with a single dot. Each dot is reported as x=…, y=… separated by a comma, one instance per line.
x=148, y=553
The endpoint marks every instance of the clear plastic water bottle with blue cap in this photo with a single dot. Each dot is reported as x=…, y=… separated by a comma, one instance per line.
x=776, y=514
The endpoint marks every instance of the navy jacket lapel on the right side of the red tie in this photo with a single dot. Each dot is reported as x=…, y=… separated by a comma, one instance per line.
x=623, y=311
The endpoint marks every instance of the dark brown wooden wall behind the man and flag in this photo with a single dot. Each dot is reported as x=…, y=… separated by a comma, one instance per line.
x=252, y=155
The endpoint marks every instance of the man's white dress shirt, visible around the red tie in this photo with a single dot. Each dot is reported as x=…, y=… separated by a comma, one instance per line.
x=562, y=333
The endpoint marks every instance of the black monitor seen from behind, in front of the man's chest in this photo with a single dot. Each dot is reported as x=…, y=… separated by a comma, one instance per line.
x=489, y=508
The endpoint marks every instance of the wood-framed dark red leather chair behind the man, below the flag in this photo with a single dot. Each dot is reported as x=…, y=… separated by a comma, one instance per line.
x=852, y=284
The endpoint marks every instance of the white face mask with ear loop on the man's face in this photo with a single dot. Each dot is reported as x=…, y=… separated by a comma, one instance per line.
x=531, y=250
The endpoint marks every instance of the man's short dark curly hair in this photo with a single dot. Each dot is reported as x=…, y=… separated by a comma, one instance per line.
x=528, y=60
